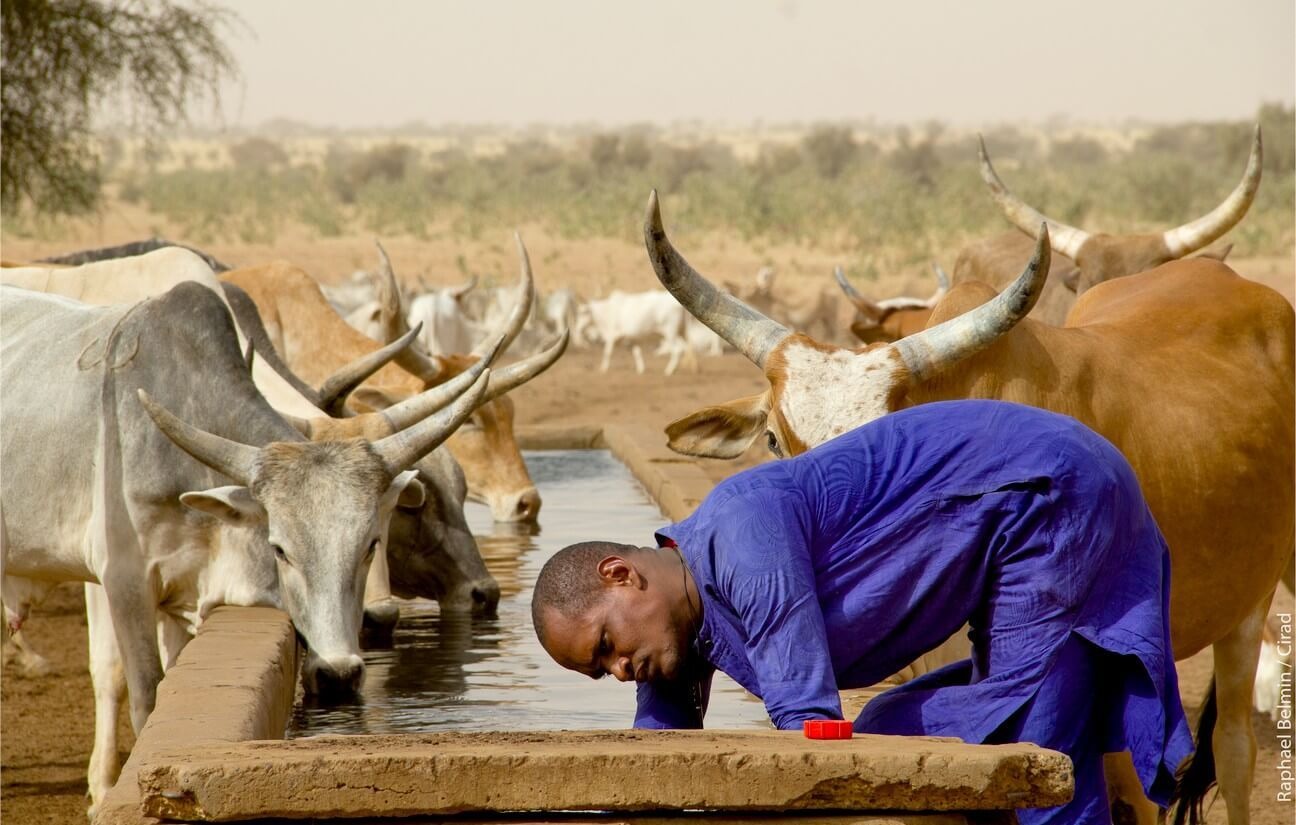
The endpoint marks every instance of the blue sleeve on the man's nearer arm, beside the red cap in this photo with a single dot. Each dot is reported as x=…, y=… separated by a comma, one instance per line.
x=769, y=581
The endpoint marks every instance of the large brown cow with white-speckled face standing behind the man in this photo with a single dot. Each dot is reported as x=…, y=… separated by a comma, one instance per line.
x=1186, y=368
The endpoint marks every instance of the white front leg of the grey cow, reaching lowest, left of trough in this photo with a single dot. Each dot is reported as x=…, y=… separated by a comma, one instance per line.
x=110, y=682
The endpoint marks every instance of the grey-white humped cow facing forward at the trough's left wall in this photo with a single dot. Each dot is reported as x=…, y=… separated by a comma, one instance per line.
x=99, y=493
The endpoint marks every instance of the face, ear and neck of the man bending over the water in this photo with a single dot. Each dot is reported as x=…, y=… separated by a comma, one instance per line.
x=632, y=631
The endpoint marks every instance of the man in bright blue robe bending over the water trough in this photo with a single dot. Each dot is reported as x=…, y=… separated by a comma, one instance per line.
x=838, y=568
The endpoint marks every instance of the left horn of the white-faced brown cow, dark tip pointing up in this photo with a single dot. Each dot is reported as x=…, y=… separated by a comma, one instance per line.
x=748, y=331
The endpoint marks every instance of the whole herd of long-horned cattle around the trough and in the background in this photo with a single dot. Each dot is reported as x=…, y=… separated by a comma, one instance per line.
x=181, y=440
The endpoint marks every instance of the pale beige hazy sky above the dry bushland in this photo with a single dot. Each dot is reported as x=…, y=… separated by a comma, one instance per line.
x=387, y=63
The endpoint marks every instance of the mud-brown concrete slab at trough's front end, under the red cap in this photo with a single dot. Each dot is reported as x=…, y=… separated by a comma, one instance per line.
x=444, y=774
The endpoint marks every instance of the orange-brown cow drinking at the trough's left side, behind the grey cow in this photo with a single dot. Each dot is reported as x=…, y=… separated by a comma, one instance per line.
x=312, y=339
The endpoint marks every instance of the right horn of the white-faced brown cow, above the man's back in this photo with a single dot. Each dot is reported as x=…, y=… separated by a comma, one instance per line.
x=931, y=350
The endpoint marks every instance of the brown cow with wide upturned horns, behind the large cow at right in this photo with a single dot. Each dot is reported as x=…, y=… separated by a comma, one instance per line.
x=1083, y=260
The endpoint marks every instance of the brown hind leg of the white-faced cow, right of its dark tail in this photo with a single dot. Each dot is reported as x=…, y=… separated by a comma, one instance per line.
x=1236, y=659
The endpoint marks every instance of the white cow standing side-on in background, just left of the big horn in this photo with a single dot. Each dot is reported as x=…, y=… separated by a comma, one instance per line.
x=637, y=319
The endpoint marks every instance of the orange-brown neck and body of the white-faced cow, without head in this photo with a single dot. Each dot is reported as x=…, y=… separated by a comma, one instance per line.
x=1188, y=370
